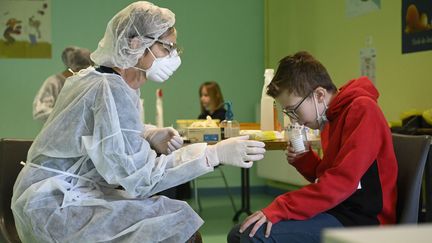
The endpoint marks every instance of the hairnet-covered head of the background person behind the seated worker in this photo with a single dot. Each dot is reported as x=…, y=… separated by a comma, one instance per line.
x=76, y=58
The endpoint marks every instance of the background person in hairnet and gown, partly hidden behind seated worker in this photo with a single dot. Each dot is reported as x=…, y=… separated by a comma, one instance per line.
x=74, y=59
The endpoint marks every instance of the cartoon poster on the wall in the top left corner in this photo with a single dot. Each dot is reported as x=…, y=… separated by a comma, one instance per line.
x=26, y=28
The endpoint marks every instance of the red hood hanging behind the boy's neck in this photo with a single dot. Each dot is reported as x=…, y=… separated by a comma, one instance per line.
x=361, y=87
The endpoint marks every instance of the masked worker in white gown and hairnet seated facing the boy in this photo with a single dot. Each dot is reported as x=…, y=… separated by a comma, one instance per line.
x=92, y=144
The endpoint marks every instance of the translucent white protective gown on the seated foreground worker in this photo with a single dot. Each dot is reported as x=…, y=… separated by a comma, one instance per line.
x=91, y=145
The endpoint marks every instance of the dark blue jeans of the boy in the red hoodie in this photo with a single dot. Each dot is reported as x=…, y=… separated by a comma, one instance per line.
x=301, y=231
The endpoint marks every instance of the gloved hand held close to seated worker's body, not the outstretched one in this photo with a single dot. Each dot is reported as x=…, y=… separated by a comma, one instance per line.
x=164, y=140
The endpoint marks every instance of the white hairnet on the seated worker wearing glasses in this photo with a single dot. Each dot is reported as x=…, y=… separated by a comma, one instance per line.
x=130, y=32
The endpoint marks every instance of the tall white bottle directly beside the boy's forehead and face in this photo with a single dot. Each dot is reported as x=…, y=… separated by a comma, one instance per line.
x=267, y=109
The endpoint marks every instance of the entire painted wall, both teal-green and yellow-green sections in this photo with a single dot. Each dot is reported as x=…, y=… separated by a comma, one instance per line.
x=224, y=41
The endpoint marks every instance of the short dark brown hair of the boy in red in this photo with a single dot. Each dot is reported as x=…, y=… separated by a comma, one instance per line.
x=300, y=74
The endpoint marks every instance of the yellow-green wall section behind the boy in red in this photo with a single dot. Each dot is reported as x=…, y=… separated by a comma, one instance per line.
x=322, y=28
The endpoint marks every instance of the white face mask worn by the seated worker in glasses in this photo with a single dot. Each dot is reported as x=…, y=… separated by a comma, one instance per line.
x=163, y=67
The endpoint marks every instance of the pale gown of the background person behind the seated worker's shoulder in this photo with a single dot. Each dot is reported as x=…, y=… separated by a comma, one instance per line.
x=46, y=97
